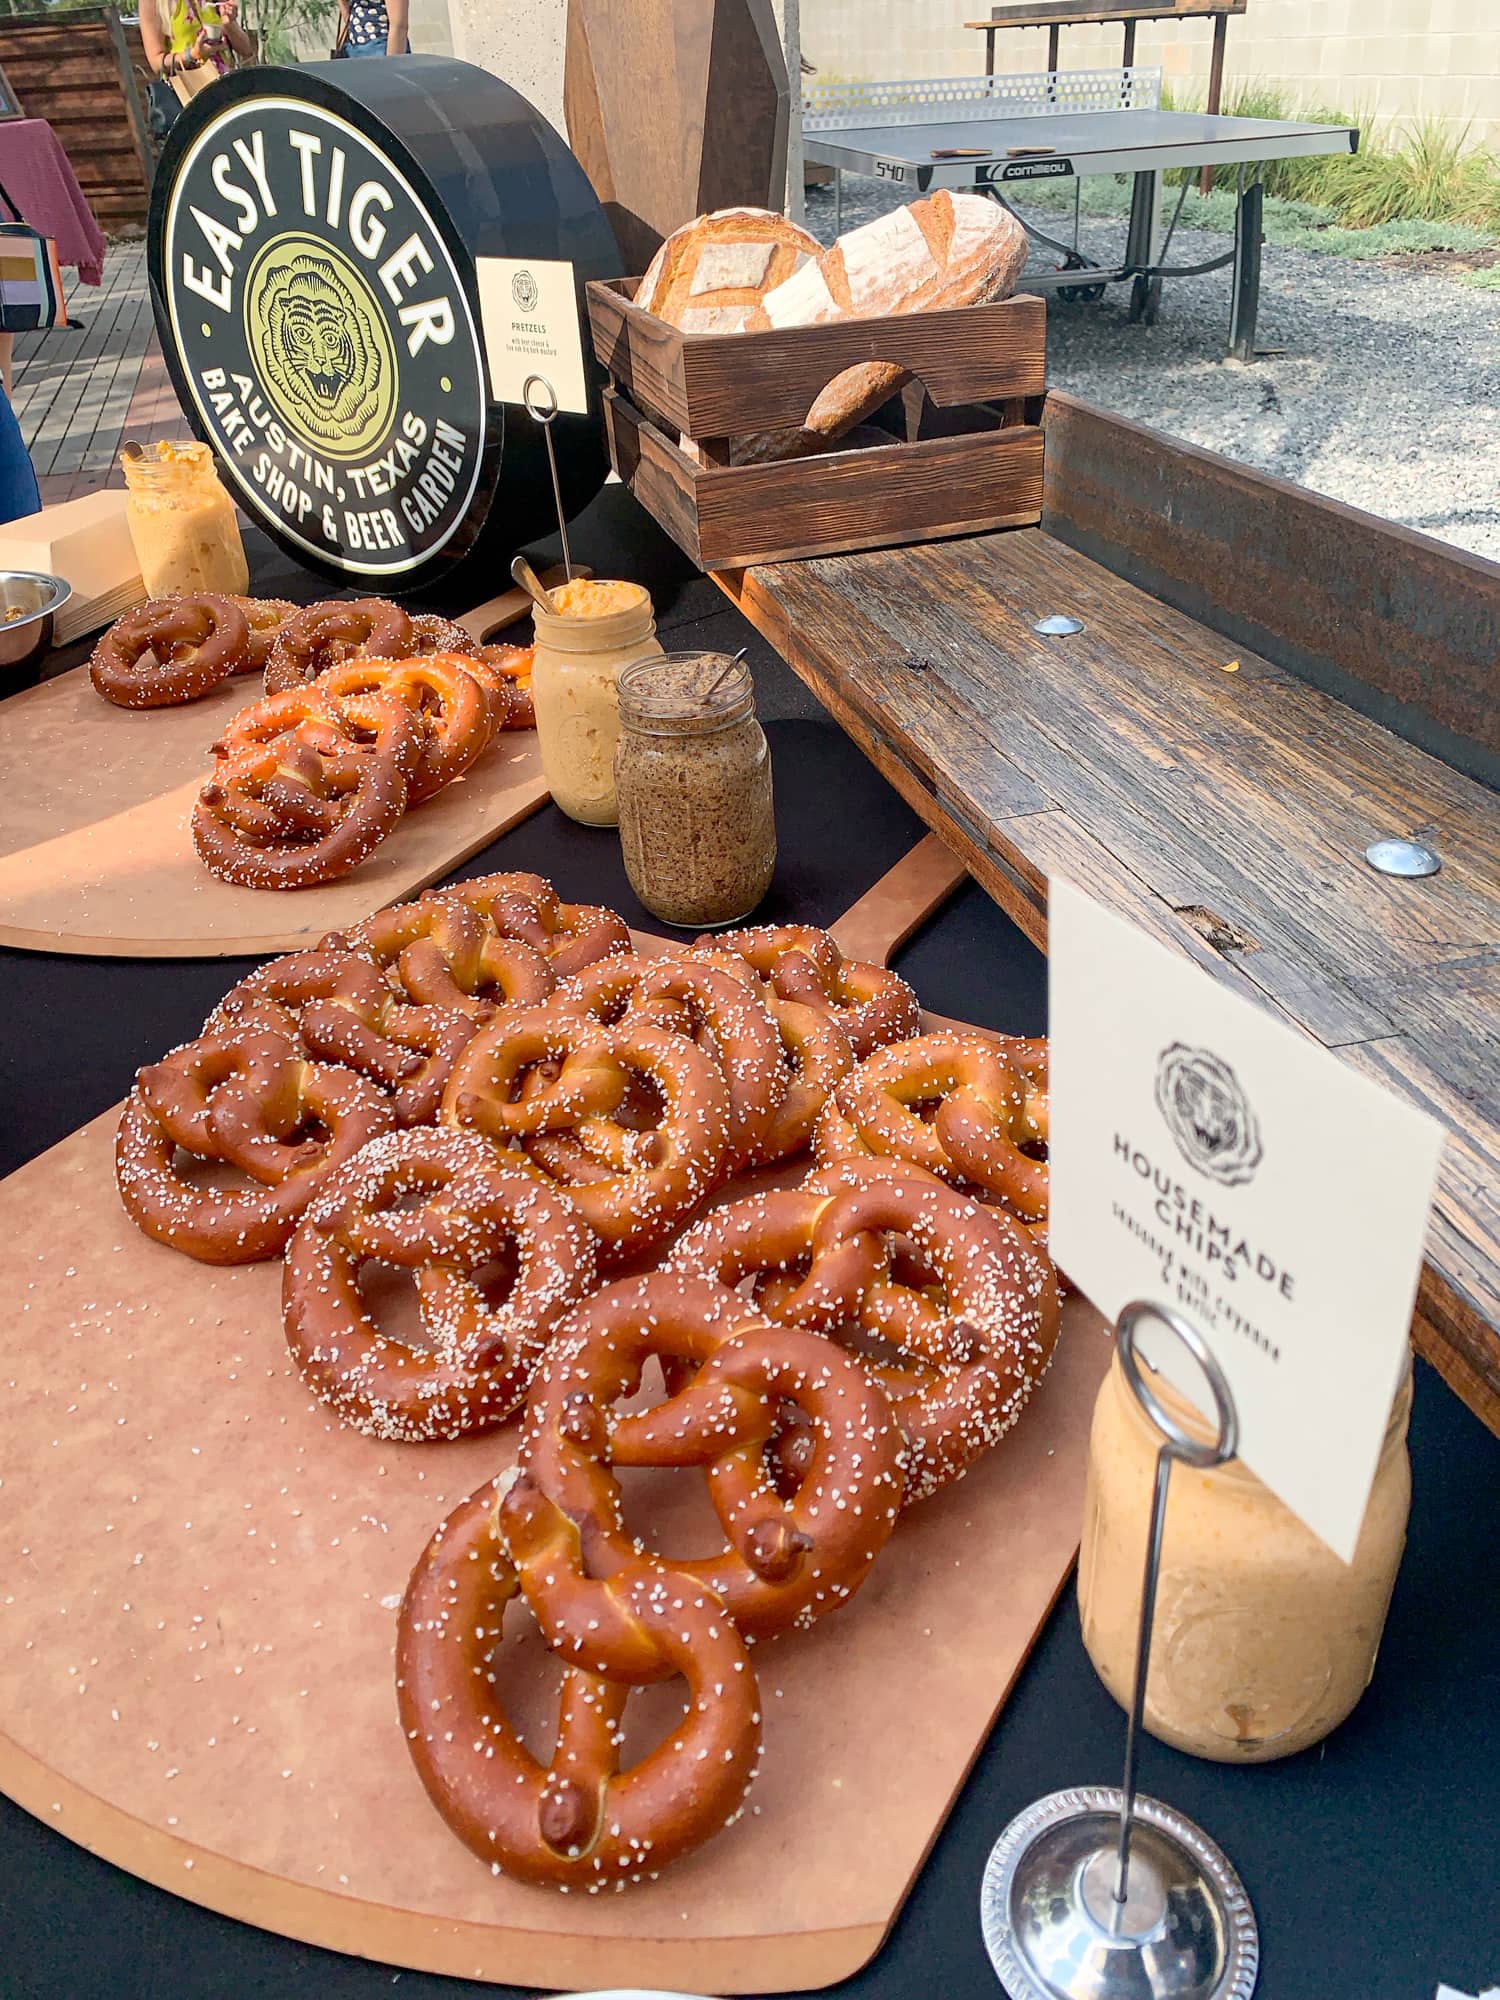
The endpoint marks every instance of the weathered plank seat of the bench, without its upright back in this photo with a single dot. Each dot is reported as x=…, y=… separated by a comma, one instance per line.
x=1225, y=813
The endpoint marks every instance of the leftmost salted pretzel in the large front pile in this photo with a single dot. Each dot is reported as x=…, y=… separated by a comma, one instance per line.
x=251, y=1103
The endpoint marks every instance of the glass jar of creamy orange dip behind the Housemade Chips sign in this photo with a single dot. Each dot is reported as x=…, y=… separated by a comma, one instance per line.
x=1265, y=1641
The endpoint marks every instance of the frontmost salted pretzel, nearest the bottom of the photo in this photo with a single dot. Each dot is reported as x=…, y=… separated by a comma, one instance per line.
x=579, y=1819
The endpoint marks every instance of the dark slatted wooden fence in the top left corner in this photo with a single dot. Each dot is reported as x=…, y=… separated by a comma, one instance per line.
x=79, y=73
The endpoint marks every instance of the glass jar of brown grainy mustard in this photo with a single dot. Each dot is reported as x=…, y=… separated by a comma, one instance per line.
x=693, y=773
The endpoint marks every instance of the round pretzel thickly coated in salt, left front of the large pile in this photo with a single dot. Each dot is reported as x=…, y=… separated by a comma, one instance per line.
x=471, y=1213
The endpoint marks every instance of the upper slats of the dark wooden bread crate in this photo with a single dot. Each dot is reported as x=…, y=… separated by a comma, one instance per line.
x=737, y=383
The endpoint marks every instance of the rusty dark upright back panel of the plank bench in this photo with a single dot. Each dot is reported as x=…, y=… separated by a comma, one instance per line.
x=1389, y=621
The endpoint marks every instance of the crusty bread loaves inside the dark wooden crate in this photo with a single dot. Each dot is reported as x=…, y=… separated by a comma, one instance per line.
x=943, y=251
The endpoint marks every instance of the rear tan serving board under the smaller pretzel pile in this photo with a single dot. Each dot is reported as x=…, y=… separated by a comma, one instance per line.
x=95, y=839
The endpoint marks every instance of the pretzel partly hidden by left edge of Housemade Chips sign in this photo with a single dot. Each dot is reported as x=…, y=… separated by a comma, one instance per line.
x=957, y=1105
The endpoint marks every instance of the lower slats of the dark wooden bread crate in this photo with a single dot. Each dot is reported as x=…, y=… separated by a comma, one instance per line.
x=845, y=499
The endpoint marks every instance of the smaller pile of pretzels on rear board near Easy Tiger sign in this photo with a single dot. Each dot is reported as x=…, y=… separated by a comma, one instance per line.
x=367, y=713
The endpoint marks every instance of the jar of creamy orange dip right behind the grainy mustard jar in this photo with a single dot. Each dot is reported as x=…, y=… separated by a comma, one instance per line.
x=579, y=655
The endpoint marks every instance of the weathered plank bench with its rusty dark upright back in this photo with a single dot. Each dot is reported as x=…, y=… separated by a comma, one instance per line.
x=1211, y=757
